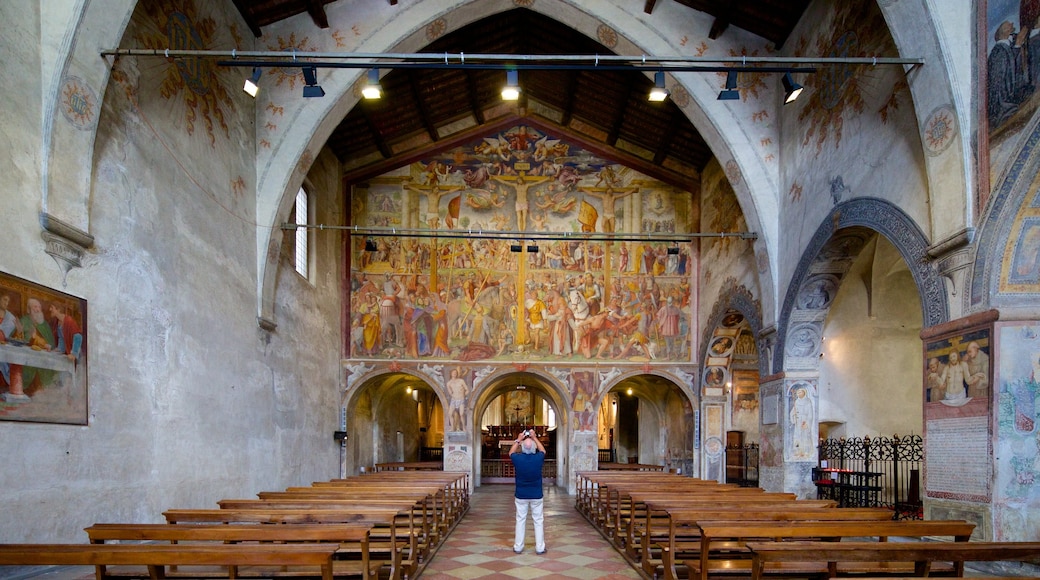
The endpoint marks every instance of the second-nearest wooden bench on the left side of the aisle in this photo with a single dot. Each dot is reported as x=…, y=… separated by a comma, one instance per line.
x=351, y=540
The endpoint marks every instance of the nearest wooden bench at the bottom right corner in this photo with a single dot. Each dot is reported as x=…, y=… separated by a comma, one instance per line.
x=848, y=558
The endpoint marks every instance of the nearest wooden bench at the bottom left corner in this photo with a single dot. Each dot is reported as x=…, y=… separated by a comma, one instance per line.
x=230, y=559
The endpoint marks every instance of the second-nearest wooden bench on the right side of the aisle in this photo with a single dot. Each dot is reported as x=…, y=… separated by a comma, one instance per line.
x=733, y=556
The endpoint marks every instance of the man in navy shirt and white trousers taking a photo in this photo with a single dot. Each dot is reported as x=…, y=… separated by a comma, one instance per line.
x=528, y=457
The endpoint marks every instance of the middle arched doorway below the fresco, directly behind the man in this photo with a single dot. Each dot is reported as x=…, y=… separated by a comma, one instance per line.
x=509, y=404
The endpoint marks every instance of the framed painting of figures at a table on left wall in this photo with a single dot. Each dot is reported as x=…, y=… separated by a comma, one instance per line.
x=43, y=354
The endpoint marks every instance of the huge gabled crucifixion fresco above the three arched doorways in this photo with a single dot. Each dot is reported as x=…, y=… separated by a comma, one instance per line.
x=464, y=296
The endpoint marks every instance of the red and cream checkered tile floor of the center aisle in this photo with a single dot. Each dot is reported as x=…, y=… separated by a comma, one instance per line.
x=482, y=545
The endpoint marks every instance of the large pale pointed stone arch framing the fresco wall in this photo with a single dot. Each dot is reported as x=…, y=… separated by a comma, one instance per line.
x=755, y=182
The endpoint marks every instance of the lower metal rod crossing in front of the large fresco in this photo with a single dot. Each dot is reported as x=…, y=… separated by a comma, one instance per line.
x=376, y=232
